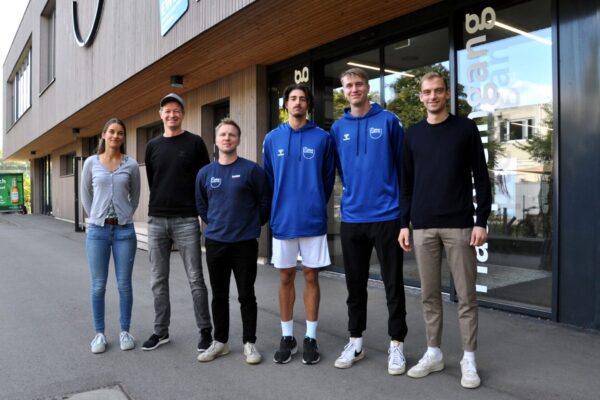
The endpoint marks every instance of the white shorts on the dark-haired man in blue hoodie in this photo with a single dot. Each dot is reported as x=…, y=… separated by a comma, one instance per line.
x=313, y=252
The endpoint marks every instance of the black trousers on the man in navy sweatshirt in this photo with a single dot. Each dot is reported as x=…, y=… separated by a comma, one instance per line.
x=239, y=258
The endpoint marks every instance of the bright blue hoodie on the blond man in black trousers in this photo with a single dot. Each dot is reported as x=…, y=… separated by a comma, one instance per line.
x=368, y=158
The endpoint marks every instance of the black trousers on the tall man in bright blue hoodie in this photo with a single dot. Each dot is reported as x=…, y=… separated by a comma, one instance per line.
x=358, y=240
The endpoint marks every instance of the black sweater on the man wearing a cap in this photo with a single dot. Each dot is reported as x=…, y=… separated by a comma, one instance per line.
x=172, y=164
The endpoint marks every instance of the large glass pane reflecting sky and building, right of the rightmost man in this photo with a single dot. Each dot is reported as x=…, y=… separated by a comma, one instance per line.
x=505, y=66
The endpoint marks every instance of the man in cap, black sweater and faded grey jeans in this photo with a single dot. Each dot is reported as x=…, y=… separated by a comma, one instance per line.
x=172, y=163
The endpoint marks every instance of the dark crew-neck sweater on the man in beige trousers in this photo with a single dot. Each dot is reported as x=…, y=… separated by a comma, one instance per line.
x=440, y=163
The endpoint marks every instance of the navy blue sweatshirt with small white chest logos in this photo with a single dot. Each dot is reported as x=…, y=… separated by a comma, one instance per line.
x=233, y=200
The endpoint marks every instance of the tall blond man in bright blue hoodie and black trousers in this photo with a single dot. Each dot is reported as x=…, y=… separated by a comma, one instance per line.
x=368, y=141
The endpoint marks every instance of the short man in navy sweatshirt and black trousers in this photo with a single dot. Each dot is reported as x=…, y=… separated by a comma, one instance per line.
x=233, y=199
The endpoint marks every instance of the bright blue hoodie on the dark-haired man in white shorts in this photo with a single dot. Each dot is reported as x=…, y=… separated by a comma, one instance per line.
x=300, y=168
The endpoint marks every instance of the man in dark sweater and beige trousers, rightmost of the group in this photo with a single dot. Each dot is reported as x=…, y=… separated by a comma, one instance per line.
x=442, y=156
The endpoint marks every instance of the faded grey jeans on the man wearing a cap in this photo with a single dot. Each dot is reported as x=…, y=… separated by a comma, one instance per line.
x=185, y=233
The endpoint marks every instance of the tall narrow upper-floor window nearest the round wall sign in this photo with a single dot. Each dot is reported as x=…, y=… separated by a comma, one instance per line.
x=48, y=44
